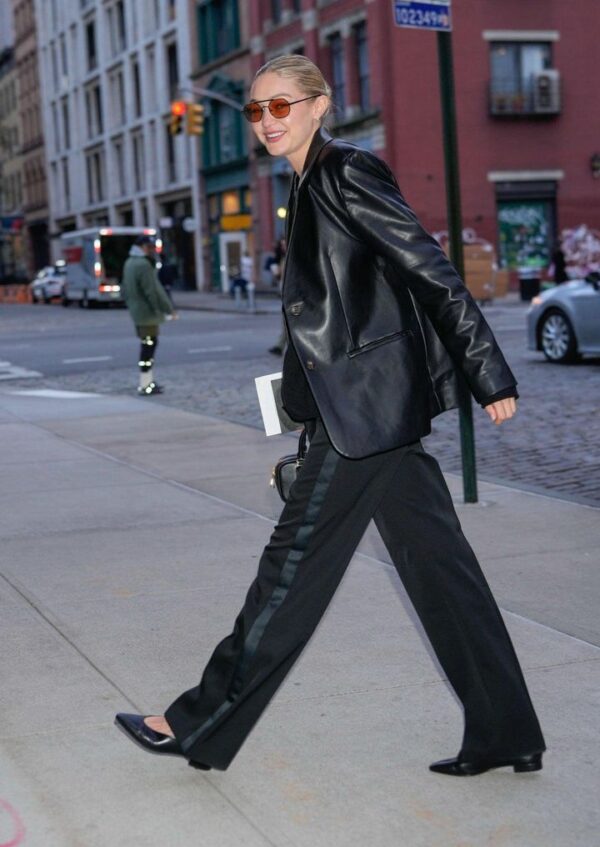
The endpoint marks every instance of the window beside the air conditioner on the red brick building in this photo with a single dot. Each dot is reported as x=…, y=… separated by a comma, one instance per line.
x=514, y=67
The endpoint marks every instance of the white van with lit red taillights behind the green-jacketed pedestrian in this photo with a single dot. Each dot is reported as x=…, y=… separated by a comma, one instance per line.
x=94, y=260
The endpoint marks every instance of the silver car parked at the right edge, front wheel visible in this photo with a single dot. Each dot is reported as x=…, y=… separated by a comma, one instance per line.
x=564, y=322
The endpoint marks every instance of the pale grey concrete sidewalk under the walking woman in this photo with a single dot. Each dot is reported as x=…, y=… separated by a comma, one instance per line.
x=130, y=532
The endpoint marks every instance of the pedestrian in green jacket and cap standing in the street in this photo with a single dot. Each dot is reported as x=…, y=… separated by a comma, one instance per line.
x=148, y=306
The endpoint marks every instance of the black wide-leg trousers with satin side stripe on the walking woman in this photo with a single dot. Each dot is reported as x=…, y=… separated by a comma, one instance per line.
x=330, y=506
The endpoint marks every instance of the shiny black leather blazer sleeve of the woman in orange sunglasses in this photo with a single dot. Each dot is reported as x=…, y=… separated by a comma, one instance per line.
x=381, y=218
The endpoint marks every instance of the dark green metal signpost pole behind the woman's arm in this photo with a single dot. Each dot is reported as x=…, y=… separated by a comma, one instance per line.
x=467, y=432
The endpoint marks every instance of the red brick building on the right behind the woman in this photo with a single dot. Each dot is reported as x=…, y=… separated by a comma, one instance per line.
x=528, y=130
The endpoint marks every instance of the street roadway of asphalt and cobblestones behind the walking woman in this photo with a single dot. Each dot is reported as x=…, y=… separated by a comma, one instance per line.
x=208, y=361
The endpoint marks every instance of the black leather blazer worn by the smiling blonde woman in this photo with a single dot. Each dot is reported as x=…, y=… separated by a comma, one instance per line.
x=377, y=314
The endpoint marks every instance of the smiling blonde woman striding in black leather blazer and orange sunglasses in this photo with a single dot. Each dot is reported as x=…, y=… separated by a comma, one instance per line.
x=379, y=323
